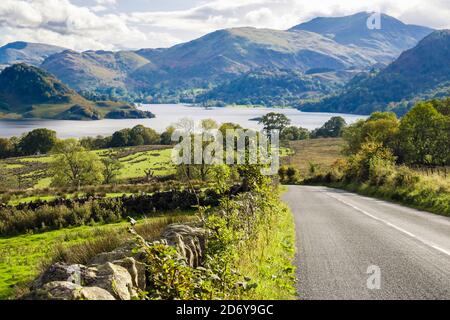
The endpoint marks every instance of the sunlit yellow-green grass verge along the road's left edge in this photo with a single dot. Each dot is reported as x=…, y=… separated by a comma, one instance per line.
x=269, y=261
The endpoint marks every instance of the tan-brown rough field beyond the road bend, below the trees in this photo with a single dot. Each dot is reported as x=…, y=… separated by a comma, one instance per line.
x=321, y=152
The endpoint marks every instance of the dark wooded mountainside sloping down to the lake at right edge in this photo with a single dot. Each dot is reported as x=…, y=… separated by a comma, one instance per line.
x=419, y=73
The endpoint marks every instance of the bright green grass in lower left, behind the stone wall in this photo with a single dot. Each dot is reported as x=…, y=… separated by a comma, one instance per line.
x=23, y=257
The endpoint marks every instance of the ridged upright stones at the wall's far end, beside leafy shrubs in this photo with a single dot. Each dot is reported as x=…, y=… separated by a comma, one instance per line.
x=190, y=242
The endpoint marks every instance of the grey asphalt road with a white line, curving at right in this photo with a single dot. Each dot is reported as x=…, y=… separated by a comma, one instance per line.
x=341, y=235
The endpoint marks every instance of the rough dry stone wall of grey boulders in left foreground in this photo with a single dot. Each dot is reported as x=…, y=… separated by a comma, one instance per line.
x=117, y=275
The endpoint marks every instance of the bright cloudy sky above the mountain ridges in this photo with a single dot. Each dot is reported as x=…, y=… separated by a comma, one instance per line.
x=132, y=24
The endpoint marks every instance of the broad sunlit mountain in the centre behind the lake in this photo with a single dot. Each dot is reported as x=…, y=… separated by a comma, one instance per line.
x=226, y=54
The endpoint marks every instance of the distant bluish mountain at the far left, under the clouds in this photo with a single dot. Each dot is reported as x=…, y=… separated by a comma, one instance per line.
x=26, y=52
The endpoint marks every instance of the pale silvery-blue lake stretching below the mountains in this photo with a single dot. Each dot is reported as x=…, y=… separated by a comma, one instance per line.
x=167, y=114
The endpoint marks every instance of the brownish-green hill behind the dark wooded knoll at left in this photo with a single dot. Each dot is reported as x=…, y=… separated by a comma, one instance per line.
x=94, y=69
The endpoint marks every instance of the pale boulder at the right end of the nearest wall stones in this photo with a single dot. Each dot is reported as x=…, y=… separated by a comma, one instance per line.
x=116, y=280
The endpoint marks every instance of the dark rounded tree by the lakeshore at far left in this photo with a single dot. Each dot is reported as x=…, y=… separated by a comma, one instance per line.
x=38, y=141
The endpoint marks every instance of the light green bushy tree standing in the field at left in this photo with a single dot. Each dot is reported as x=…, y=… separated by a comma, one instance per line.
x=74, y=166
